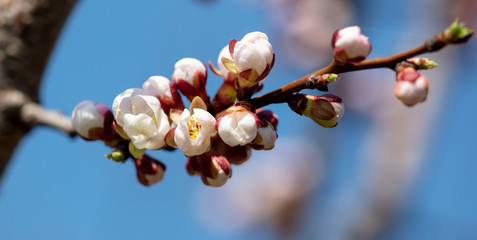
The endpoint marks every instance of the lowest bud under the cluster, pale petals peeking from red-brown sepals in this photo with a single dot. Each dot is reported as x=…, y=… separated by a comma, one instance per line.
x=214, y=170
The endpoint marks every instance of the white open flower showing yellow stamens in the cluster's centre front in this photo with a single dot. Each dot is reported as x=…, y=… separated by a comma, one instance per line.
x=193, y=133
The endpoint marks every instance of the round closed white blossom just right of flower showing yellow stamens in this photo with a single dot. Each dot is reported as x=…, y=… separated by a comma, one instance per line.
x=238, y=126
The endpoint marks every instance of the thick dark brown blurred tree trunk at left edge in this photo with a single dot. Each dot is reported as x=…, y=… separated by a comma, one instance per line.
x=28, y=32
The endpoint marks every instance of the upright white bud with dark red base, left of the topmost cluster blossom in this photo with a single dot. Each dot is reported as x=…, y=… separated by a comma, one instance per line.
x=190, y=76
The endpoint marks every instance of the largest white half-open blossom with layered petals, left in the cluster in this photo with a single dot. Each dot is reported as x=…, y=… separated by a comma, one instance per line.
x=141, y=117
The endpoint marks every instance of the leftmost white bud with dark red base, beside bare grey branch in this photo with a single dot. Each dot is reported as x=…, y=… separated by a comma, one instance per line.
x=92, y=121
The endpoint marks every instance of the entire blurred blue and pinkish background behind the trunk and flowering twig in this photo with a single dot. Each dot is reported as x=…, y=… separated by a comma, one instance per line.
x=385, y=172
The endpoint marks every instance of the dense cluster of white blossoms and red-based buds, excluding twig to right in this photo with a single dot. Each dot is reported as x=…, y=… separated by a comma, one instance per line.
x=211, y=134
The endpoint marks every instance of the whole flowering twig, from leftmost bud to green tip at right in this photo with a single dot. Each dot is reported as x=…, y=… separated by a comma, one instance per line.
x=213, y=134
